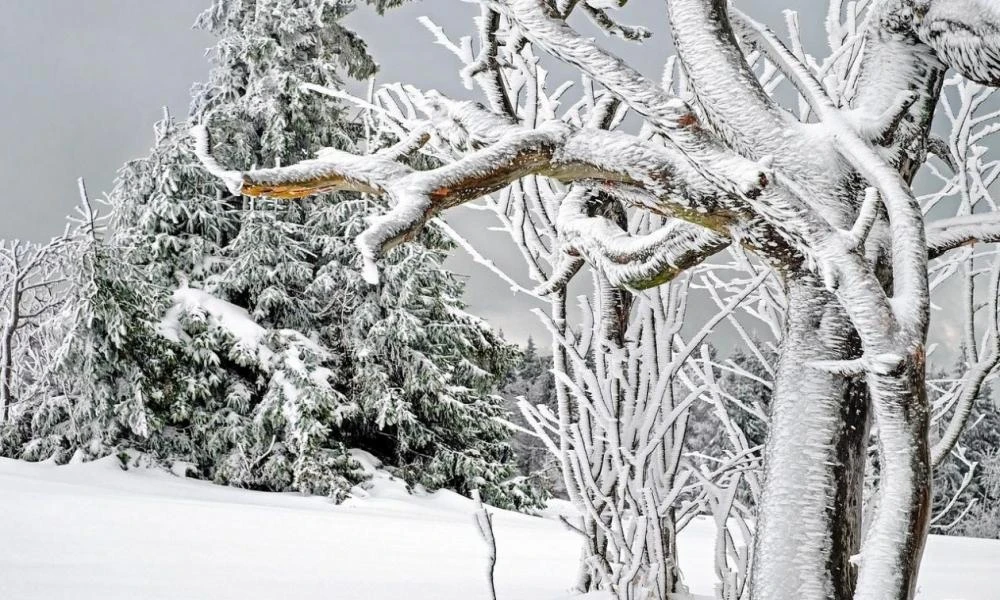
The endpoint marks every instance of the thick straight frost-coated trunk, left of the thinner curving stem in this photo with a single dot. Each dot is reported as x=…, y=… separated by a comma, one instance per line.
x=810, y=512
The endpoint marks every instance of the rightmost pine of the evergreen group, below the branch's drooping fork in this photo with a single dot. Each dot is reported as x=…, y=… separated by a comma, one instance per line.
x=423, y=371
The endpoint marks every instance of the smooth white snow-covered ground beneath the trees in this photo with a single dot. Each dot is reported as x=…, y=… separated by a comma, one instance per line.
x=97, y=532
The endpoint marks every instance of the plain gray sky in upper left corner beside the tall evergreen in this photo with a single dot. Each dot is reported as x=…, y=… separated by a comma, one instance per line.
x=83, y=83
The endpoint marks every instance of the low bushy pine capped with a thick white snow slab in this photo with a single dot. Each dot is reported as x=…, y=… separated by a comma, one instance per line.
x=258, y=408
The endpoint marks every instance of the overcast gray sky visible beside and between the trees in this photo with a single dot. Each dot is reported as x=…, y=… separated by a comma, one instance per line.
x=84, y=81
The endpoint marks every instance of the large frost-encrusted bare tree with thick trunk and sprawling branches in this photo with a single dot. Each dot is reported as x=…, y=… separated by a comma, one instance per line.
x=821, y=195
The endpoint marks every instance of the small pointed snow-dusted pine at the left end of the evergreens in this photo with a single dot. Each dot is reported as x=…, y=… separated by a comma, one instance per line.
x=108, y=368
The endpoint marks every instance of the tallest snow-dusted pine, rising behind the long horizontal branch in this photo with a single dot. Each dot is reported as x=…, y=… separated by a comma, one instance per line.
x=416, y=370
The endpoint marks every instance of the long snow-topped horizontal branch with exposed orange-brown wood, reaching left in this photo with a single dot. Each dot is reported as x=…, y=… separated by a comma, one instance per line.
x=505, y=153
